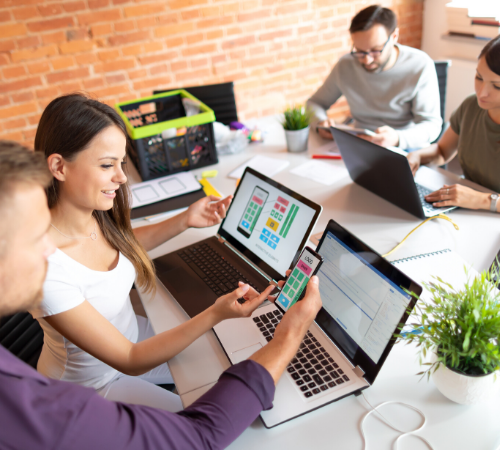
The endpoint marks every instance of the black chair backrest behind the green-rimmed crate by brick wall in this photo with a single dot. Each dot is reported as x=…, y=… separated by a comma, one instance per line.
x=219, y=97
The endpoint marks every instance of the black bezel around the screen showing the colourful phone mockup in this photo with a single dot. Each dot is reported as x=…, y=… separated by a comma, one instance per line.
x=246, y=252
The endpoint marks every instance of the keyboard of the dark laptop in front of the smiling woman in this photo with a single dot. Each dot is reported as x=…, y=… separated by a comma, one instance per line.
x=213, y=268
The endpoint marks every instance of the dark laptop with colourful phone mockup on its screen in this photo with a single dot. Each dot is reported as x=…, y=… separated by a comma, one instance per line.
x=265, y=229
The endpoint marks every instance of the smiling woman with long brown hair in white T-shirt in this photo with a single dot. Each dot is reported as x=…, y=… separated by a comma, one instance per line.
x=91, y=334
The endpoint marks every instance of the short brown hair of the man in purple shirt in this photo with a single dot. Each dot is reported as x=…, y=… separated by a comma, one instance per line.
x=18, y=164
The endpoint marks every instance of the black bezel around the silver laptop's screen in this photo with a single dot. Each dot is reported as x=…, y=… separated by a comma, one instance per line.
x=360, y=358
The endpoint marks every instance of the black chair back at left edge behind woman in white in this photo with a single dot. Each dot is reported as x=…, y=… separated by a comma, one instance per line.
x=22, y=336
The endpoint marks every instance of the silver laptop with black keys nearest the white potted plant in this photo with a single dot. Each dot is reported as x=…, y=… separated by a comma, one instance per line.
x=364, y=304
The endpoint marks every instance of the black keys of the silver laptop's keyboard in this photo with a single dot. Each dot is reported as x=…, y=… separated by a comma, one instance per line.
x=312, y=369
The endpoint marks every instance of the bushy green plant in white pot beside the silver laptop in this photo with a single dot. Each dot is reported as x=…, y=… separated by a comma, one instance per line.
x=462, y=330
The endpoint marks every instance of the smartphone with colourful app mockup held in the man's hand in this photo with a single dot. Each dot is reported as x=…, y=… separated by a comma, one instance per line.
x=294, y=288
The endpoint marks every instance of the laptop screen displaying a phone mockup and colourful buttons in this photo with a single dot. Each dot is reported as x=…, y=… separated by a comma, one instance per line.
x=269, y=221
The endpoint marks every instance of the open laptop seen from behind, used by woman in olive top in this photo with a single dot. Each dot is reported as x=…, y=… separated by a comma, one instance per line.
x=386, y=172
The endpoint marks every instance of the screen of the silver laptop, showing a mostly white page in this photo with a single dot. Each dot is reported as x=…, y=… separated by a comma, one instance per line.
x=363, y=298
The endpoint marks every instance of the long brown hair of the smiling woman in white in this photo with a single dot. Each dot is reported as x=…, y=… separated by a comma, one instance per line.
x=67, y=126
